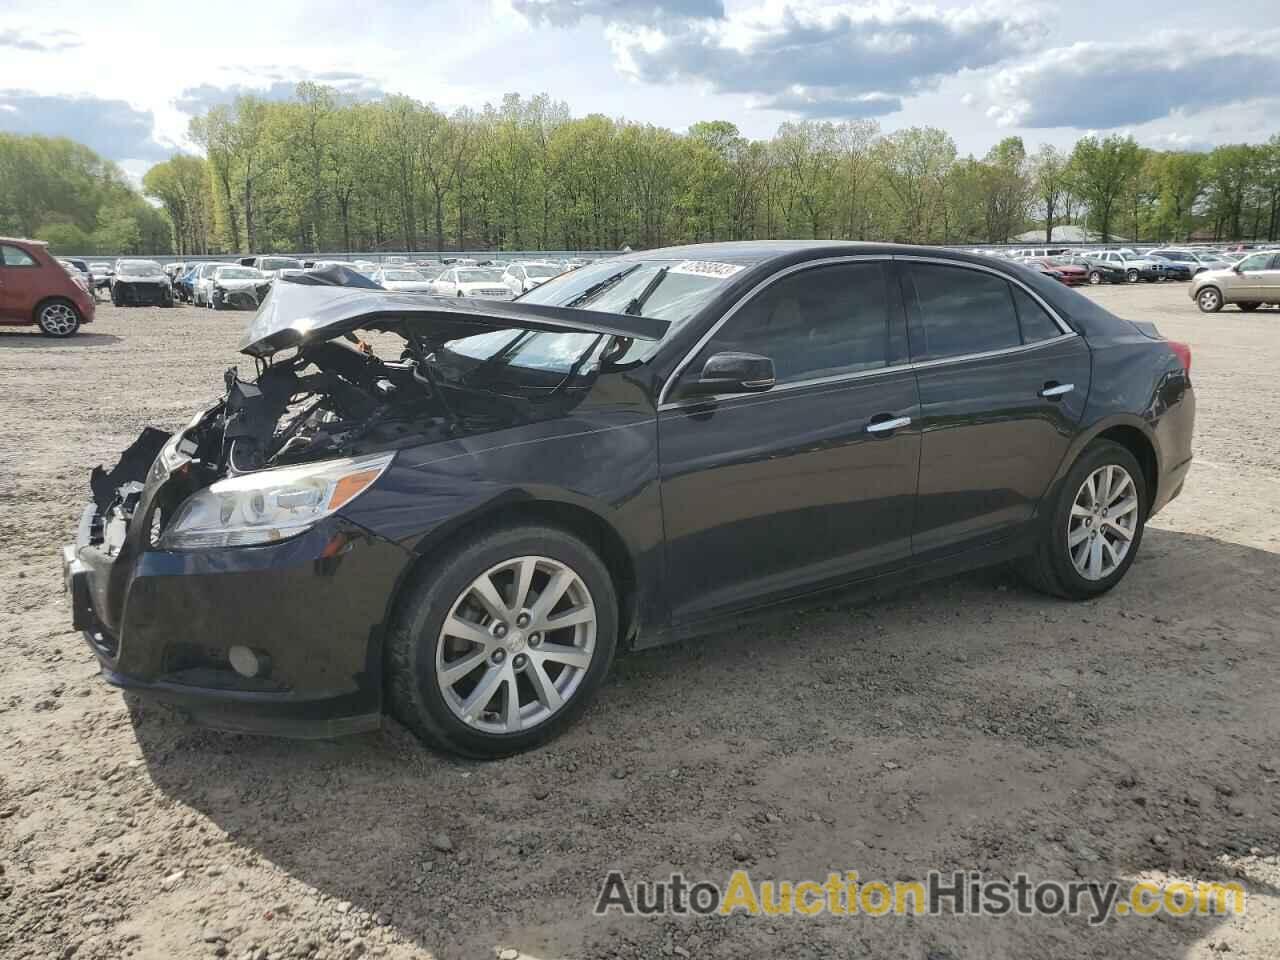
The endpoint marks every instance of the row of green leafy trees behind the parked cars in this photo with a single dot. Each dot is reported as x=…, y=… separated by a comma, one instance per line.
x=322, y=173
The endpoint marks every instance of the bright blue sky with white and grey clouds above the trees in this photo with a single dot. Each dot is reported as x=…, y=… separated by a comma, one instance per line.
x=1178, y=75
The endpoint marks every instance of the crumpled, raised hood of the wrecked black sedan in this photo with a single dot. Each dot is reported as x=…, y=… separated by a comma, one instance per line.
x=319, y=305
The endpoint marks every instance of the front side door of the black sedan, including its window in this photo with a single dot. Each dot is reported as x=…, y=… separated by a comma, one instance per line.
x=811, y=483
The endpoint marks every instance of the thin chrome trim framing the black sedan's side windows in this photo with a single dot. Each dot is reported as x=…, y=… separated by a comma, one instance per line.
x=1068, y=333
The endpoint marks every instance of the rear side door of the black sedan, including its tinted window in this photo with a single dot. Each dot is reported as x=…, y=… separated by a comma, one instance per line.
x=1003, y=387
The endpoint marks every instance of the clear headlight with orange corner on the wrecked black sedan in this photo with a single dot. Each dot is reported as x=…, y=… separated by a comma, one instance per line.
x=271, y=505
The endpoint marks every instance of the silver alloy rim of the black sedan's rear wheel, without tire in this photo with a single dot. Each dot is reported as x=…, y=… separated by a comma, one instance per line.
x=1104, y=523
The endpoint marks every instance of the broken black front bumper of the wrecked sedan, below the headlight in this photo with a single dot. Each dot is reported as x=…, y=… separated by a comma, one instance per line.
x=312, y=610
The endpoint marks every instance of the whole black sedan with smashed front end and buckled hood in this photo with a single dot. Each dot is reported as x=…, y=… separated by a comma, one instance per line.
x=467, y=531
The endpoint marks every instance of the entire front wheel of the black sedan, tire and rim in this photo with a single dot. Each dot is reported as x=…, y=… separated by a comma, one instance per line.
x=418, y=646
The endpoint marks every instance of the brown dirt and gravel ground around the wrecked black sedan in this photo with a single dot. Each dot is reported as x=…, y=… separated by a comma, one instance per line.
x=968, y=726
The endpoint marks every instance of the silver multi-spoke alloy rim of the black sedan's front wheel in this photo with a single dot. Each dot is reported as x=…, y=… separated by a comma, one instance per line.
x=516, y=646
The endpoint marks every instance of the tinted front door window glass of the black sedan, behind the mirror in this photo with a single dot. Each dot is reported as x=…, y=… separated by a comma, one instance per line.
x=825, y=322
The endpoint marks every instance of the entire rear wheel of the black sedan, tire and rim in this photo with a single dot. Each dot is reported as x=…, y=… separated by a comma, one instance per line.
x=1095, y=525
